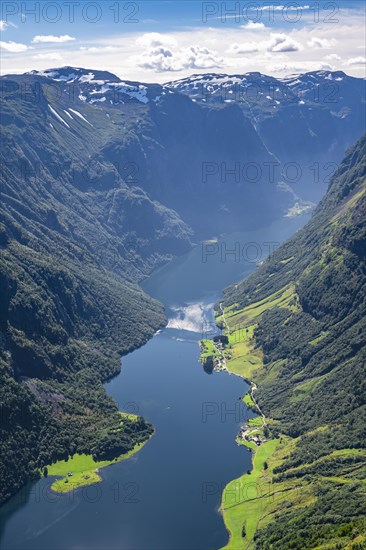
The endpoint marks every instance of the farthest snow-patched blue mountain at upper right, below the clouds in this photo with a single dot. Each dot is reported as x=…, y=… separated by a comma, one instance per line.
x=306, y=121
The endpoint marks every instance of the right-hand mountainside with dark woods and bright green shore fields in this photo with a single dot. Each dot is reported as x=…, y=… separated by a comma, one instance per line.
x=297, y=330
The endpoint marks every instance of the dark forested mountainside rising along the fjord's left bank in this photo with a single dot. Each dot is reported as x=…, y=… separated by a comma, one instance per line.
x=73, y=249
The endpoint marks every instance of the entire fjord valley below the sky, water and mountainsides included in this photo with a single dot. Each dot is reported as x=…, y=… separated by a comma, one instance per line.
x=109, y=191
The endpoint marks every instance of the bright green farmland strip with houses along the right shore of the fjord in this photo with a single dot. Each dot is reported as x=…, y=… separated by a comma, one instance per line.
x=251, y=501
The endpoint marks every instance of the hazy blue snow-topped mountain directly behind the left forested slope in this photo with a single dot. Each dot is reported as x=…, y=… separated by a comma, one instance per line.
x=178, y=152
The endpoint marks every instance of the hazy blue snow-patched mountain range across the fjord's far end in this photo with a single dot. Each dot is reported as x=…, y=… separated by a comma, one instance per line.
x=241, y=140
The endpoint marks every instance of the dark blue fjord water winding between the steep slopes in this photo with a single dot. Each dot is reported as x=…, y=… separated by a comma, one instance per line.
x=168, y=495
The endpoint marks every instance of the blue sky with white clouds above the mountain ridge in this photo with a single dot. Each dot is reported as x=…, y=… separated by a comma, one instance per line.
x=163, y=40
